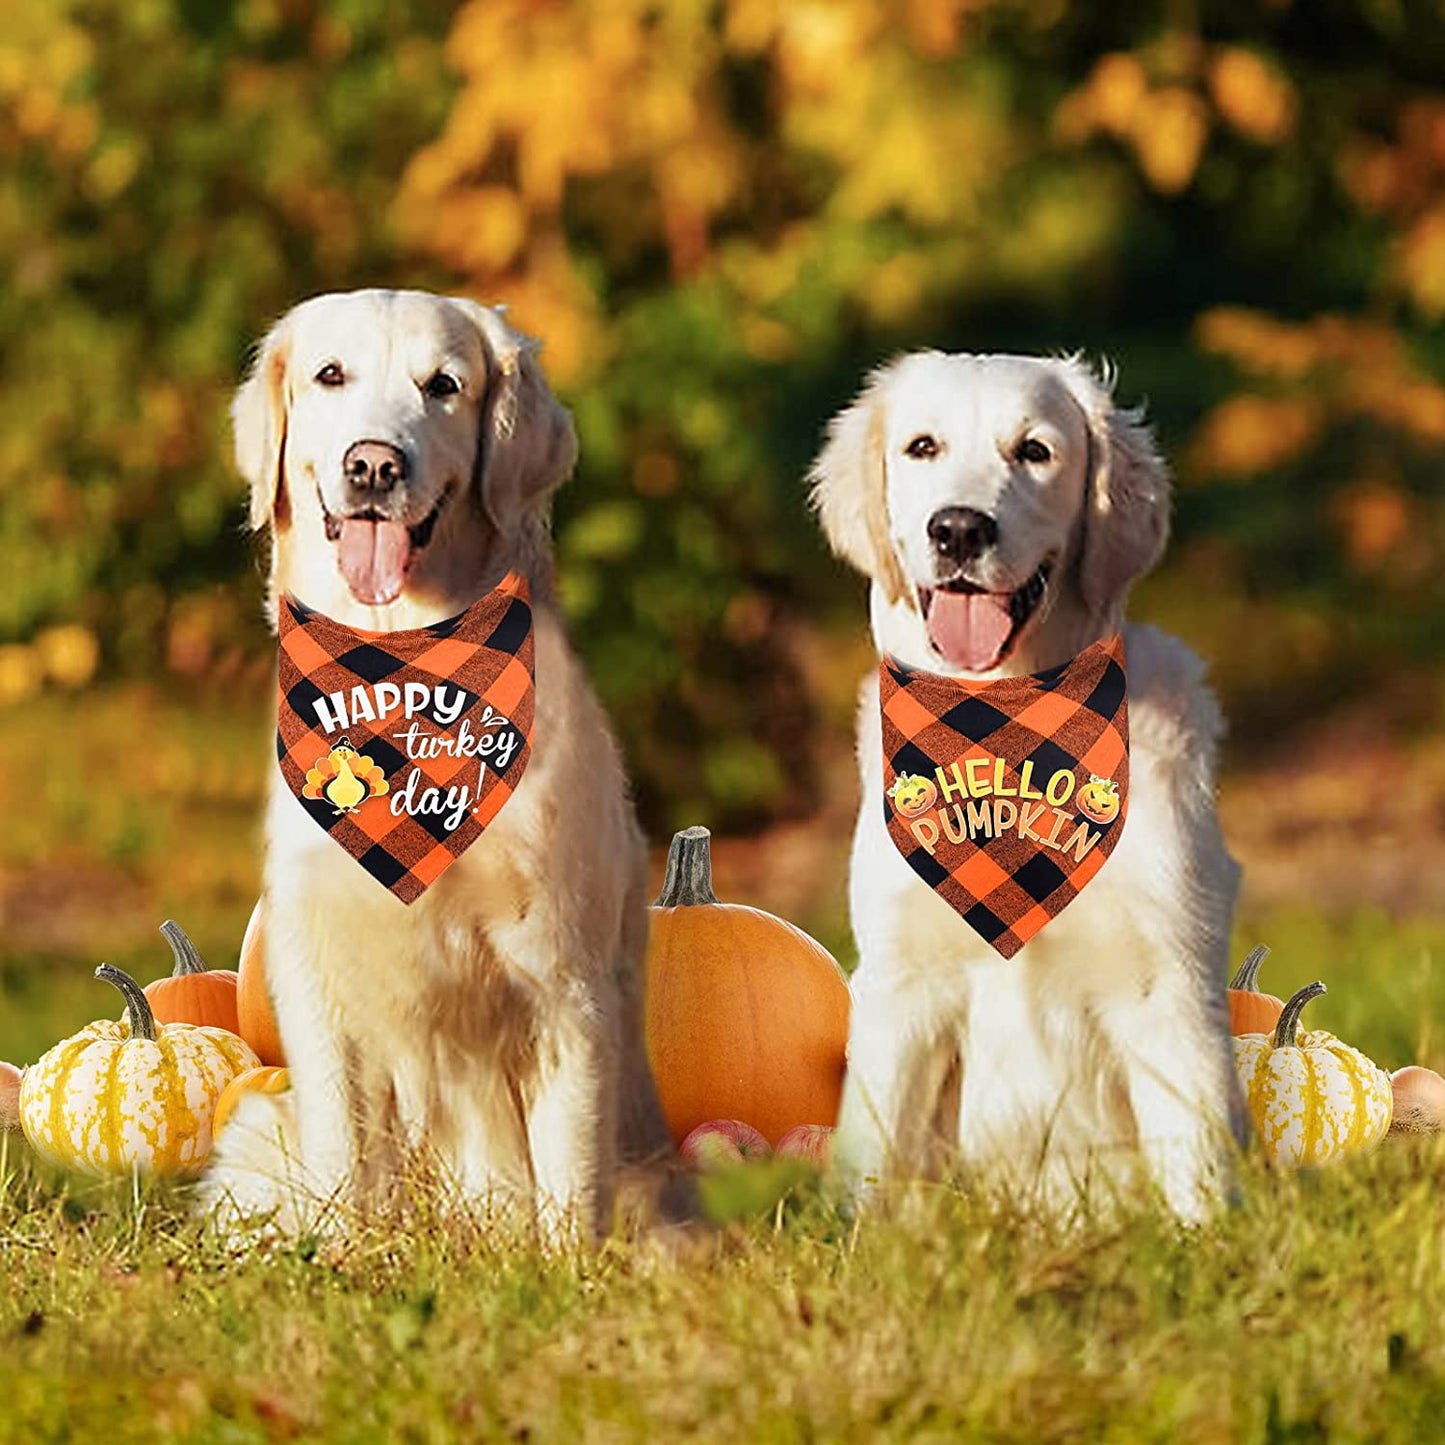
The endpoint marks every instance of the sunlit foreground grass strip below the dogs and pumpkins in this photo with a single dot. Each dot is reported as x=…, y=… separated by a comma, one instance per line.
x=1311, y=1313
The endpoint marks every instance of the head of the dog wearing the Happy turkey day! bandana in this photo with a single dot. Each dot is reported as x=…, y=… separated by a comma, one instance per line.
x=392, y=437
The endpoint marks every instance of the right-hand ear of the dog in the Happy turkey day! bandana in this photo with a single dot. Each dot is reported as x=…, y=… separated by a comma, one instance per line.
x=527, y=446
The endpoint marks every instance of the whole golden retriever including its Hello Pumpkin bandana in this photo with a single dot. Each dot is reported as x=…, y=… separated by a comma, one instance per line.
x=1040, y=889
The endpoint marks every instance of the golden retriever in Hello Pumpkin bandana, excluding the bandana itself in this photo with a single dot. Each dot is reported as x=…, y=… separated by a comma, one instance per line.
x=1099, y=1057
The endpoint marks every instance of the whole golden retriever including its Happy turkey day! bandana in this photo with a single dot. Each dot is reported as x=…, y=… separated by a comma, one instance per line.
x=456, y=902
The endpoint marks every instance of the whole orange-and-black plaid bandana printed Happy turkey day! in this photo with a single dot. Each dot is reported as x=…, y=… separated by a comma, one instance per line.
x=405, y=745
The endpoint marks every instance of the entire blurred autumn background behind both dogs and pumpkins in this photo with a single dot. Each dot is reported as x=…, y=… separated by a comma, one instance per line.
x=719, y=216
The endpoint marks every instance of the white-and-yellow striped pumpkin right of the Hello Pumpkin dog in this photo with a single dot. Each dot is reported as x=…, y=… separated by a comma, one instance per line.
x=1313, y=1099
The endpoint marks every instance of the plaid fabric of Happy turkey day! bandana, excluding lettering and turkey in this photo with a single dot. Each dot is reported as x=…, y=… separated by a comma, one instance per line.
x=486, y=651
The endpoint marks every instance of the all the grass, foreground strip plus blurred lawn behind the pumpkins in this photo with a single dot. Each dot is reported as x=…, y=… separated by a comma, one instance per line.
x=1310, y=1313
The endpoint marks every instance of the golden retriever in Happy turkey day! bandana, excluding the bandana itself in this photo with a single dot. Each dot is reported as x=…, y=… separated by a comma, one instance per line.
x=402, y=449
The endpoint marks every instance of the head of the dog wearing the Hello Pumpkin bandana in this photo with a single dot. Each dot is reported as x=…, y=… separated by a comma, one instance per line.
x=982, y=492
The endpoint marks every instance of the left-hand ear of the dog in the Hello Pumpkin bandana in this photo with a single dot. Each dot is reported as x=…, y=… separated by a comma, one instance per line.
x=849, y=489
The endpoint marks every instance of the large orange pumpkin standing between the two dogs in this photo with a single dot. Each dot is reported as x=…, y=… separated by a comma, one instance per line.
x=748, y=1017
